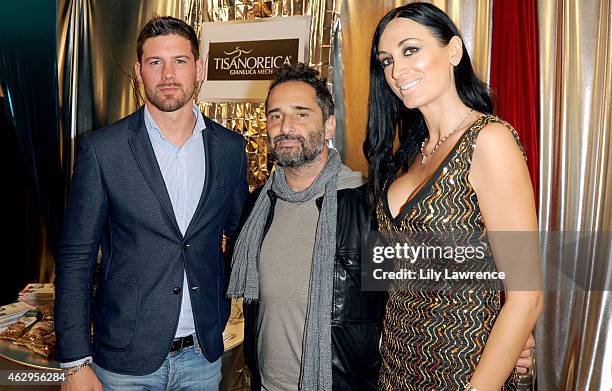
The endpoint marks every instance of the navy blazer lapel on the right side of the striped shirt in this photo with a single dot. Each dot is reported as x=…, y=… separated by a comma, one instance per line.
x=211, y=161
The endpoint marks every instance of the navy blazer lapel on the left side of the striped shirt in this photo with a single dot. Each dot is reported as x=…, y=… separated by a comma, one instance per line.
x=142, y=149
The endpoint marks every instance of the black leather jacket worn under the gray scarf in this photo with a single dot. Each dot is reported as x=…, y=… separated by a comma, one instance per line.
x=356, y=314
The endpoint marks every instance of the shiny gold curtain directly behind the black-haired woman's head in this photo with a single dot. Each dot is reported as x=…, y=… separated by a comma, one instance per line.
x=359, y=19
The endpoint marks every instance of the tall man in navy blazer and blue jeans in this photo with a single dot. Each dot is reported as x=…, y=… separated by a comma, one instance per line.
x=155, y=191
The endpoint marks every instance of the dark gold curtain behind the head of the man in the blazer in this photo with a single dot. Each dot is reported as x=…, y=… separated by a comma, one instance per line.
x=96, y=45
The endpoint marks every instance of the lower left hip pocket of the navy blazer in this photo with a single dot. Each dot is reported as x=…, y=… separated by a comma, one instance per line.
x=116, y=314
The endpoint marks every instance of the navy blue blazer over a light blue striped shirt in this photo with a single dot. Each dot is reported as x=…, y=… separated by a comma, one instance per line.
x=118, y=201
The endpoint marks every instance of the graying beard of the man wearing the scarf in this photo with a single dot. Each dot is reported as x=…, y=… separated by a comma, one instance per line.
x=308, y=151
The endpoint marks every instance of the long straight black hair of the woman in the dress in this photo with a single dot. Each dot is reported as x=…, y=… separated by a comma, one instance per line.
x=387, y=115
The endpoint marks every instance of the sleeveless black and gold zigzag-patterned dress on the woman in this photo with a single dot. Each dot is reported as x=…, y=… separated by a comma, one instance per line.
x=433, y=339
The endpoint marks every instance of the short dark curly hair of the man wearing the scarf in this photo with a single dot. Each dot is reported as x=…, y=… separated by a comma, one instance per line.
x=304, y=73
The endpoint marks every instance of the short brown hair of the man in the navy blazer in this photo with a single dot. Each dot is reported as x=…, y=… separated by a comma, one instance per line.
x=167, y=25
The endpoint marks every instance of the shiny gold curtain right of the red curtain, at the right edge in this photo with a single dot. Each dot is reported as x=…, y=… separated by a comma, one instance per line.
x=574, y=333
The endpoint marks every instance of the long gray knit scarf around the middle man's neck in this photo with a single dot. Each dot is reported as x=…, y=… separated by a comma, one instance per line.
x=316, y=366
